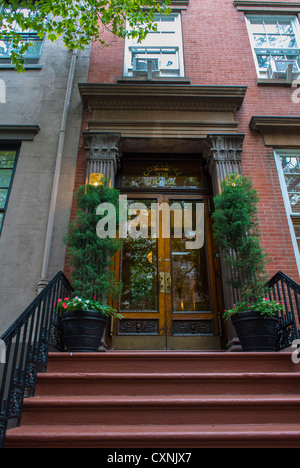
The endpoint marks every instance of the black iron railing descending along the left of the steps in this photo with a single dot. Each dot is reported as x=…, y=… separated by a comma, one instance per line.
x=25, y=348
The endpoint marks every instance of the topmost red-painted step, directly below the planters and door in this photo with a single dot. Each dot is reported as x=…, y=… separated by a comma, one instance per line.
x=171, y=362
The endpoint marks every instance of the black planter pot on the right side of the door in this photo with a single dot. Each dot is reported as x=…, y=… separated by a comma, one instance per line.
x=255, y=332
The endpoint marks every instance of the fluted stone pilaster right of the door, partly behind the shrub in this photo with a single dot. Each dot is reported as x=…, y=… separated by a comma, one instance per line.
x=225, y=157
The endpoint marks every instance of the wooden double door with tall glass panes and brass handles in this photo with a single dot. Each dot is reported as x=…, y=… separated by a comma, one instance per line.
x=169, y=272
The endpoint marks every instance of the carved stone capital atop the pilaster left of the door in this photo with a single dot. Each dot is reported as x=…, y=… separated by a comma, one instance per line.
x=102, y=154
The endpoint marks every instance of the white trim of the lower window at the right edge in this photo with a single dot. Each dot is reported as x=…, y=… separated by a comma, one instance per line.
x=287, y=204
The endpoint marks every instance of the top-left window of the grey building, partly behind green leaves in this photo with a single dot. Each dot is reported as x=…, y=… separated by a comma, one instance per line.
x=33, y=53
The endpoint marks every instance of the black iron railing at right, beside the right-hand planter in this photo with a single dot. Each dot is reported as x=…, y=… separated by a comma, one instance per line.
x=286, y=291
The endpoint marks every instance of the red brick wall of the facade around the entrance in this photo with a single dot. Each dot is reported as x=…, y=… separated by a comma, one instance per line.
x=217, y=51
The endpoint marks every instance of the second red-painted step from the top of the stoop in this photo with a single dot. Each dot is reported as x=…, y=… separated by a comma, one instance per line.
x=93, y=384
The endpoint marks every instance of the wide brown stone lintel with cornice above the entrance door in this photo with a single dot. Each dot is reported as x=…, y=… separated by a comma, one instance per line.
x=162, y=111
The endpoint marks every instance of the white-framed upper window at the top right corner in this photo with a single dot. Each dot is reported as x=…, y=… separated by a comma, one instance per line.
x=275, y=43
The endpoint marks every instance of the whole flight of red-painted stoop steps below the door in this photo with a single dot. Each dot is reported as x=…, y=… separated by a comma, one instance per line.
x=144, y=399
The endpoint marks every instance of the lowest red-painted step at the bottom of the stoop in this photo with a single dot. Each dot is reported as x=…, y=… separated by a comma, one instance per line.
x=180, y=436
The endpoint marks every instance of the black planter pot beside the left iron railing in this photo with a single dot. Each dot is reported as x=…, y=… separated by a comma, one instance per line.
x=83, y=330
